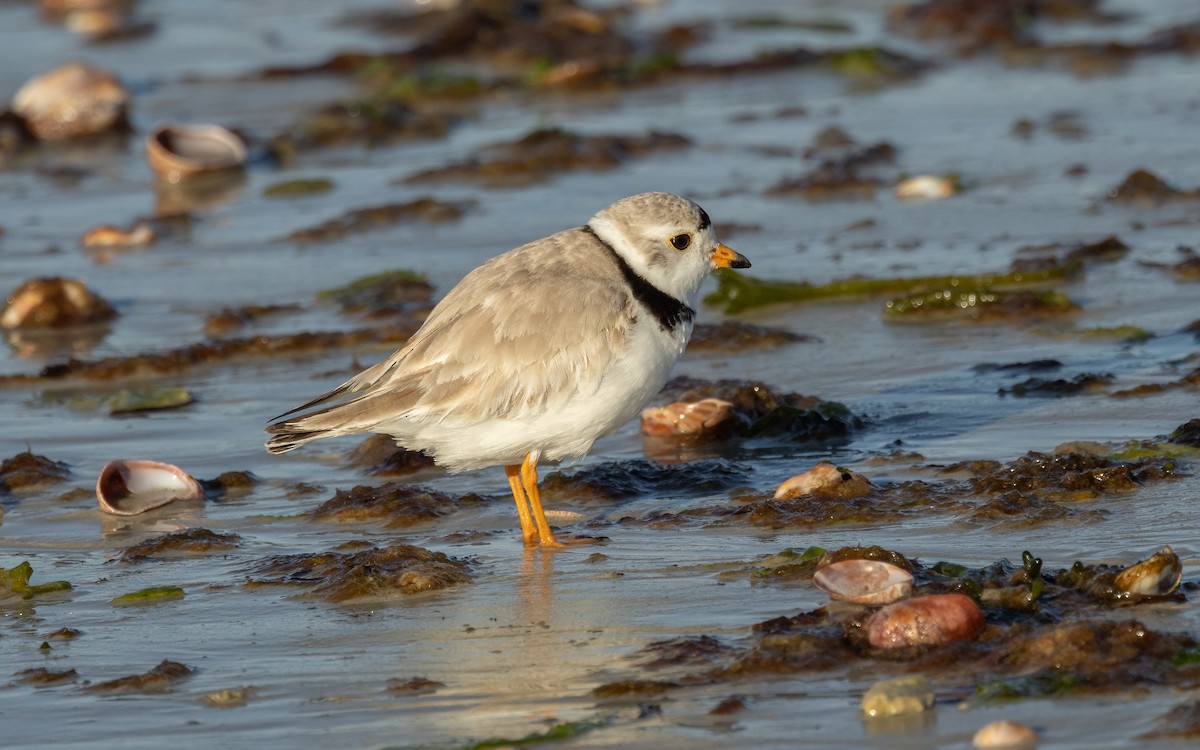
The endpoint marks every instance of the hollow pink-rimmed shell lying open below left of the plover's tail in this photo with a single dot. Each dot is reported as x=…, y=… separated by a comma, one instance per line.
x=133, y=488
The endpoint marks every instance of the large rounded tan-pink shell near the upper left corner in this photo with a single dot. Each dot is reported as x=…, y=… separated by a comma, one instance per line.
x=71, y=101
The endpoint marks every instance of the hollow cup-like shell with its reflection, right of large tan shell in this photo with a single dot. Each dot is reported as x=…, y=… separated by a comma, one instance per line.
x=179, y=152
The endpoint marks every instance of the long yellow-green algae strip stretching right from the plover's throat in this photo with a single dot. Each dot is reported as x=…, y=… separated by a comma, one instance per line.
x=739, y=292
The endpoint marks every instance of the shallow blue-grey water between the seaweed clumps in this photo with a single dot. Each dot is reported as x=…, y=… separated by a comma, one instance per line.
x=521, y=647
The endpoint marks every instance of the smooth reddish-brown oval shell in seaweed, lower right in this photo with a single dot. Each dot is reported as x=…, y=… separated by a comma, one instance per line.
x=925, y=621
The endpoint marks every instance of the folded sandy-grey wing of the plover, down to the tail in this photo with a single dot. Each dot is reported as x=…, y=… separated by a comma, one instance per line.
x=523, y=334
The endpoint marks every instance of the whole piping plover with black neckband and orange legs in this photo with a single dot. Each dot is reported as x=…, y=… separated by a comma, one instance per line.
x=537, y=353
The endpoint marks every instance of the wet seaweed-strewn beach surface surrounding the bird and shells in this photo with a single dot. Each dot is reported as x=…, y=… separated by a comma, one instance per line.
x=1045, y=412
